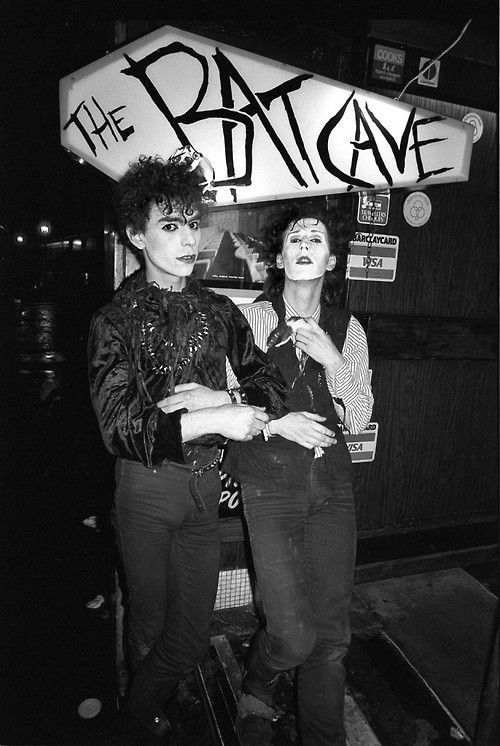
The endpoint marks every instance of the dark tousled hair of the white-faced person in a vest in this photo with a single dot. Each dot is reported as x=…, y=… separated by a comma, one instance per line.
x=339, y=225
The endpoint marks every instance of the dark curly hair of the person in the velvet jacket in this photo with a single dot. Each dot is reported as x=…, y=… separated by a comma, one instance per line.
x=152, y=180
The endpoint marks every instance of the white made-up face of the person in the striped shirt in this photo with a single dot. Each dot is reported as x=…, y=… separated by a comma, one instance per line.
x=306, y=250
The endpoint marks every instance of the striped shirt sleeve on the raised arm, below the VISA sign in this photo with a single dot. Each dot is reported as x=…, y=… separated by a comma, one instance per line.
x=351, y=383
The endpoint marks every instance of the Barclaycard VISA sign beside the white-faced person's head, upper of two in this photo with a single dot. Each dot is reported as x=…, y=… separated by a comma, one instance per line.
x=372, y=257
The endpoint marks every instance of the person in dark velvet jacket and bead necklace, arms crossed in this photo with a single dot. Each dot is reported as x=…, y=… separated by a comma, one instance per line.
x=165, y=337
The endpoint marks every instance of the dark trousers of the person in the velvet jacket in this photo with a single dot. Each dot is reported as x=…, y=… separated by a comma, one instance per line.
x=170, y=554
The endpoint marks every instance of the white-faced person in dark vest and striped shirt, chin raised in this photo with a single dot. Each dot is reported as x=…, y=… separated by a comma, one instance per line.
x=297, y=487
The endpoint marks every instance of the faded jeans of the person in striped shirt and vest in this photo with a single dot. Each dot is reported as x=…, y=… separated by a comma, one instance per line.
x=301, y=524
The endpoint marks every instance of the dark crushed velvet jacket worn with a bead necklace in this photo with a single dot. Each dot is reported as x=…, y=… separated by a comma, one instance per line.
x=146, y=341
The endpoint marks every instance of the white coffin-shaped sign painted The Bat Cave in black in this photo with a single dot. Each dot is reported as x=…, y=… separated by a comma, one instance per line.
x=271, y=131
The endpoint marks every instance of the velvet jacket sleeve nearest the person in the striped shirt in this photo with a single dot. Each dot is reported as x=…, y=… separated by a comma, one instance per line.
x=259, y=378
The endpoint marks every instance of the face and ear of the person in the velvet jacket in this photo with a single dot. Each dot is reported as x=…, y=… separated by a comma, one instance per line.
x=170, y=244
